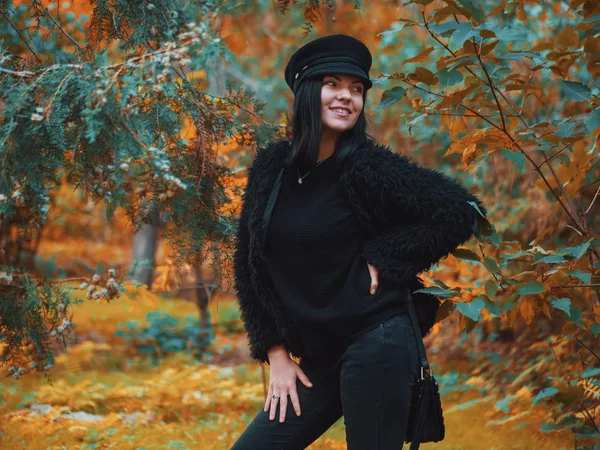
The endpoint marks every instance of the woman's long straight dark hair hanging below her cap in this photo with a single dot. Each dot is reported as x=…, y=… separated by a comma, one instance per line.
x=307, y=125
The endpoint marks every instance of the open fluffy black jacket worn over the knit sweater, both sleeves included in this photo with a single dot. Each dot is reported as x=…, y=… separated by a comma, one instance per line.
x=411, y=216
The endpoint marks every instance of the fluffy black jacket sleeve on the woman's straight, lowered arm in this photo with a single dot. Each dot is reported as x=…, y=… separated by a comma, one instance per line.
x=261, y=329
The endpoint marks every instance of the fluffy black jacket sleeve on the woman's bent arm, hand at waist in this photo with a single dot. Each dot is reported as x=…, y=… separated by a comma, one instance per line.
x=426, y=215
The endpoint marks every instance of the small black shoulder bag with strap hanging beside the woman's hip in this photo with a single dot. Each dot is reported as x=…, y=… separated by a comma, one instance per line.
x=426, y=419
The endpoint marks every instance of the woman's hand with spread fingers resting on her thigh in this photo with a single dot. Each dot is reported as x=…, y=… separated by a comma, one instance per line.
x=283, y=374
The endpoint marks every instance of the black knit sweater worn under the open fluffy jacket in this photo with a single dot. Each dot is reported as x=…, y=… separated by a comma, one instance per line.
x=313, y=253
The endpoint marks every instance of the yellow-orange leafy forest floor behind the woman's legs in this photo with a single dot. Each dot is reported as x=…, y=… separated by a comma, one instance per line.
x=102, y=394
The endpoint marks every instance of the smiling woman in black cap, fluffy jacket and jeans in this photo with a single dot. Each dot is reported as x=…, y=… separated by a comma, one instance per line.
x=333, y=229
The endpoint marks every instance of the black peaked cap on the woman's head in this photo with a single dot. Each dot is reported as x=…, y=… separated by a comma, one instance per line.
x=338, y=53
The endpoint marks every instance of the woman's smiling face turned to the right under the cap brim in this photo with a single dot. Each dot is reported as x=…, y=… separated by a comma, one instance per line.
x=341, y=102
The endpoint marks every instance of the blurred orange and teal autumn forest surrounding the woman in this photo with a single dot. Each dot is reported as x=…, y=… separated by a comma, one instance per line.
x=126, y=128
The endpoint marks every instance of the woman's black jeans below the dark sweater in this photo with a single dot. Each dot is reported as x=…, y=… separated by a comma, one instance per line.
x=369, y=381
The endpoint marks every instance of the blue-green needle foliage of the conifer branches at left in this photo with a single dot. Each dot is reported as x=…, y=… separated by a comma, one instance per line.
x=110, y=122
